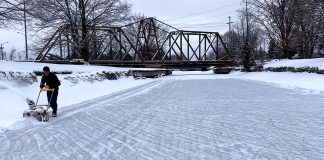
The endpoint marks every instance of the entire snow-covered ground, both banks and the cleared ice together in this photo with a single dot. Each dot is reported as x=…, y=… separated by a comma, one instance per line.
x=188, y=115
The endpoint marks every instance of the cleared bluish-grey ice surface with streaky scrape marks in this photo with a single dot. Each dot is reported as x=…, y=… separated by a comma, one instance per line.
x=180, y=119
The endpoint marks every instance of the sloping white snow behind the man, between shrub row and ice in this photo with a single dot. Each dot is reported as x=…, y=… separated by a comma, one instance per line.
x=13, y=98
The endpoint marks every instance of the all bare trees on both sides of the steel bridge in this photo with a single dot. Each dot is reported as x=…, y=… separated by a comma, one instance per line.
x=284, y=27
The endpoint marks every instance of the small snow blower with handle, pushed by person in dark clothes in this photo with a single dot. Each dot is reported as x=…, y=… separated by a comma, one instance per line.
x=39, y=111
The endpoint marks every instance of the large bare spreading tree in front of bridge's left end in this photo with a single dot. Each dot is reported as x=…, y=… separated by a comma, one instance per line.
x=76, y=18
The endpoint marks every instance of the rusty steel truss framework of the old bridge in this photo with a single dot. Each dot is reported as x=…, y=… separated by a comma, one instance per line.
x=149, y=40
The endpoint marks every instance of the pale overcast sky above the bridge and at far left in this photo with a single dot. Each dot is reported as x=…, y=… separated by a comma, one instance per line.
x=202, y=15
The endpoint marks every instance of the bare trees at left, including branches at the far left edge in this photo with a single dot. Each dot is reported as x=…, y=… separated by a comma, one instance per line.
x=78, y=16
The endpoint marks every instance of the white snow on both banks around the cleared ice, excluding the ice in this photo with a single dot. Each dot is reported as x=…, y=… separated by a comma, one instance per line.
x=12, y=99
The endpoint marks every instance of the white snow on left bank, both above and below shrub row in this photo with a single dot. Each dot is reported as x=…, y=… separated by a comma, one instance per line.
x=13, y=96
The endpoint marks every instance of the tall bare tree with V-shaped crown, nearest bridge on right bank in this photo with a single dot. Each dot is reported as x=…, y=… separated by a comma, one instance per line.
x=278, y=18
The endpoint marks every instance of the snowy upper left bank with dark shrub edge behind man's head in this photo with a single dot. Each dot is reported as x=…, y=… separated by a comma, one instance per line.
x=25, y=73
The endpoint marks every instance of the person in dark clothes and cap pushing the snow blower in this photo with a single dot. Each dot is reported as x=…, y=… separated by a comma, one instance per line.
x=50, y=80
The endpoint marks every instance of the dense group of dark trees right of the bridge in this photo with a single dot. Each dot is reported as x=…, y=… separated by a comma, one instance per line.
x=285, y=27
